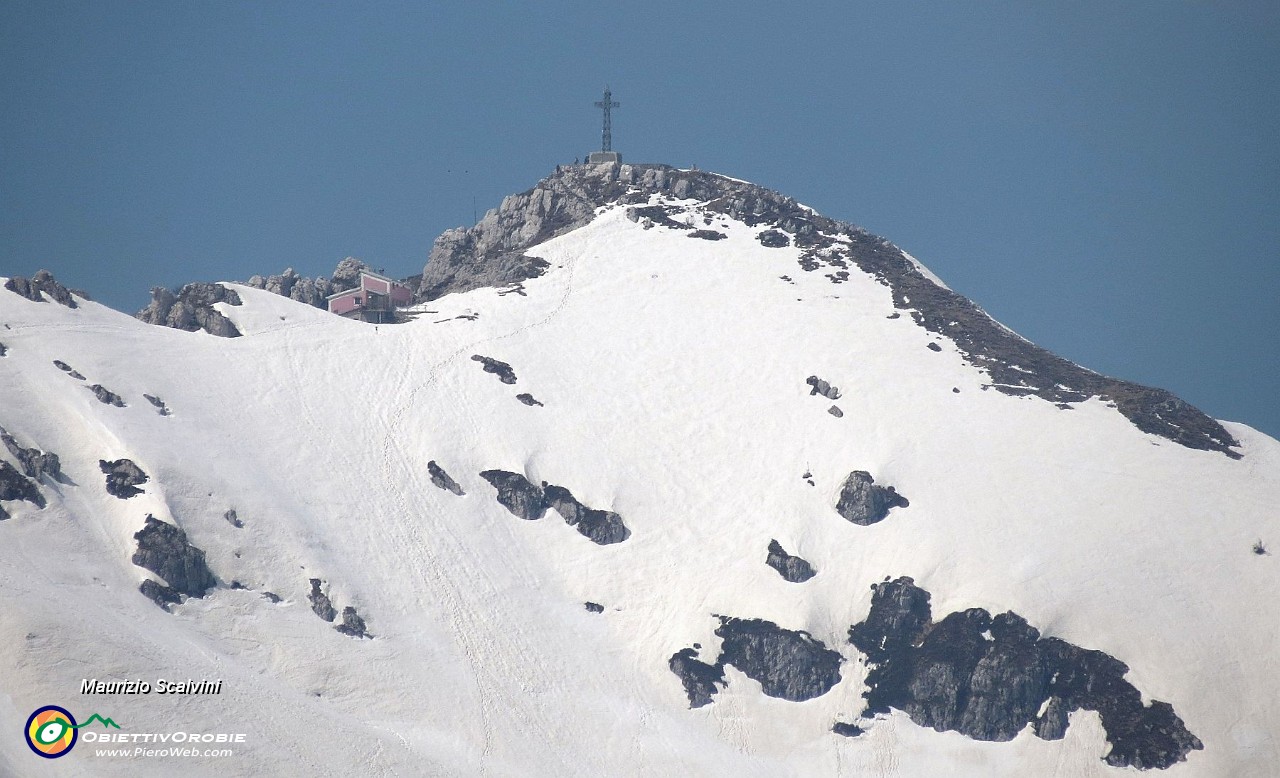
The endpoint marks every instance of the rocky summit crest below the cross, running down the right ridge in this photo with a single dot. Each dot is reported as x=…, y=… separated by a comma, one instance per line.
x=488, y=255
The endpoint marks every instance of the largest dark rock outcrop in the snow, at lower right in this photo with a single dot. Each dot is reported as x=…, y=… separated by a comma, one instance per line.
x=988, y=678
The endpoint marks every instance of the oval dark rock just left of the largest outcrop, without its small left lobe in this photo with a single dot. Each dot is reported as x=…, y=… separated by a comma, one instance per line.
x=789, y=665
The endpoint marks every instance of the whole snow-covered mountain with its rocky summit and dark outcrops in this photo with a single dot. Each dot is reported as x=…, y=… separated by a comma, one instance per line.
x=723, y=488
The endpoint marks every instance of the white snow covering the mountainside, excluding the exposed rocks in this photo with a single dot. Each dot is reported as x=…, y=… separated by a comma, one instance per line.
x=673, y=374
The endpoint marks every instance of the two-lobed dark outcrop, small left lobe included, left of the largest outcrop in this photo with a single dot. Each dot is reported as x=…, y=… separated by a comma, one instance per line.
x=789, y=665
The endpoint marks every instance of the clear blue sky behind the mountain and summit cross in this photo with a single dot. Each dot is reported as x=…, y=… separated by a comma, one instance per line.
x=1101, y=176
